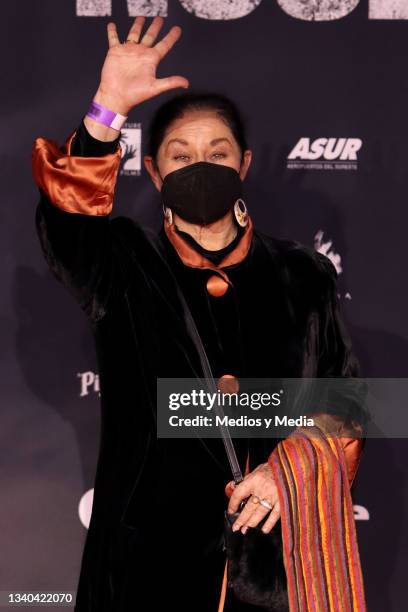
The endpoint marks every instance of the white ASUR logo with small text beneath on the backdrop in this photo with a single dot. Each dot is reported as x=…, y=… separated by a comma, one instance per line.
x=325, y=154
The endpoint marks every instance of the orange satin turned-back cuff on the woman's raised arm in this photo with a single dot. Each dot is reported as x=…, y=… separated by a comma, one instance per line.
x=72, y=183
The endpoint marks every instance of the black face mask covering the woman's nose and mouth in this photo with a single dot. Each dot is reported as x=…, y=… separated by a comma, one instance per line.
x=201, y=193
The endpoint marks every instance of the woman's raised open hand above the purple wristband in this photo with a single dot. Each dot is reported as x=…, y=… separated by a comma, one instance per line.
x=128, y=74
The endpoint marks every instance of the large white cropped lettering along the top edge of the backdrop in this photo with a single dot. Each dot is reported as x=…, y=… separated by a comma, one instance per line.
x=305, y=10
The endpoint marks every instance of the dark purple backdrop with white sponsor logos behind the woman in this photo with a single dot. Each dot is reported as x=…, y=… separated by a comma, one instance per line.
x=323, y=87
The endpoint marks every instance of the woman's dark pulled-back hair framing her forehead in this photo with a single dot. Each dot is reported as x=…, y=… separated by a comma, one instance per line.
x=174, y=108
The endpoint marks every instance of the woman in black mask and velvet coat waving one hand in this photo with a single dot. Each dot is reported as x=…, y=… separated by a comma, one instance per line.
x=260, y=305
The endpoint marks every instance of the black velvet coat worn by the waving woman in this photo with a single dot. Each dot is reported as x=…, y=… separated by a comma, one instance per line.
x=156, y=527
